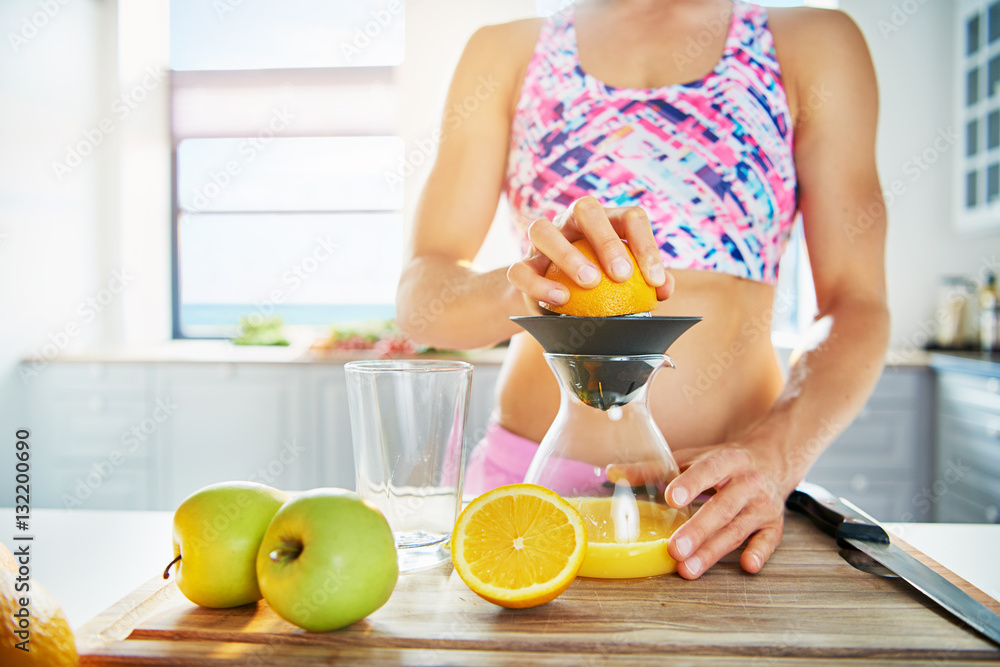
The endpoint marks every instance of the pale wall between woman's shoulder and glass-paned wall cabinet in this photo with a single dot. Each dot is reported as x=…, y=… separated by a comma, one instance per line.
x=914, y=63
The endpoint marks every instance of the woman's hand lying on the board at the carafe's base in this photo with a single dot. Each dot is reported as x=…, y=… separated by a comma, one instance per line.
x=751, y=486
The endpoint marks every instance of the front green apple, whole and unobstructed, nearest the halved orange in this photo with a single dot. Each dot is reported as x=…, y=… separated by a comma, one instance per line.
x=328, y=559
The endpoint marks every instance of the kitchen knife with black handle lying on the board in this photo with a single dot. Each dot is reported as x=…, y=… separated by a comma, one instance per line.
x=854, y=528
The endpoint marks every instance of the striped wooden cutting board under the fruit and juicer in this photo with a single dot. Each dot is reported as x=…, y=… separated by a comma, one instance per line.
x=806, y=605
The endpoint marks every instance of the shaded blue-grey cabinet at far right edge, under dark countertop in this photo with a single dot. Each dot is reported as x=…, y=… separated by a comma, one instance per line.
x=966, y=487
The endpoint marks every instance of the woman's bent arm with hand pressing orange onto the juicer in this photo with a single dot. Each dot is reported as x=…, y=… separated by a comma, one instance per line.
x=442, y=299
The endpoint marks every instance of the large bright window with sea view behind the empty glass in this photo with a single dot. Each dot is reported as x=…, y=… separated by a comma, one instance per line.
x=287, y=162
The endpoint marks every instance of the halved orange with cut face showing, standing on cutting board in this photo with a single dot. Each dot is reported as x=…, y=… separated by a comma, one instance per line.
x=519, y=545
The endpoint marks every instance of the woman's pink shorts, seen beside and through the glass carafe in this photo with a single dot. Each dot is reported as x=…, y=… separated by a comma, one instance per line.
x=502, y=457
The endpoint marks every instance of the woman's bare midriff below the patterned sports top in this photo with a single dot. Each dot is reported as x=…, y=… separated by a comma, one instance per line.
x=727, y=375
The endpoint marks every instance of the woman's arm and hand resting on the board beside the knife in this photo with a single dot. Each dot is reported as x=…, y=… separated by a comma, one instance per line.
x=833, y=375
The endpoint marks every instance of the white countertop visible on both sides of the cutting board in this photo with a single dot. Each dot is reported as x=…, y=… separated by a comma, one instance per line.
x=90, y=559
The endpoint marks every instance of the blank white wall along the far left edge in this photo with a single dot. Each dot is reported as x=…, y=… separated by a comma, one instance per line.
x=53, y=230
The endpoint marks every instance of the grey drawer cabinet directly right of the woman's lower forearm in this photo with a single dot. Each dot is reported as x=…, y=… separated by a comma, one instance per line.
x=883, y=461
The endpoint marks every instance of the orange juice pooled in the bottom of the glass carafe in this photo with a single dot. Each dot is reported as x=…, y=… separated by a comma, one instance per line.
x=627, y=538
